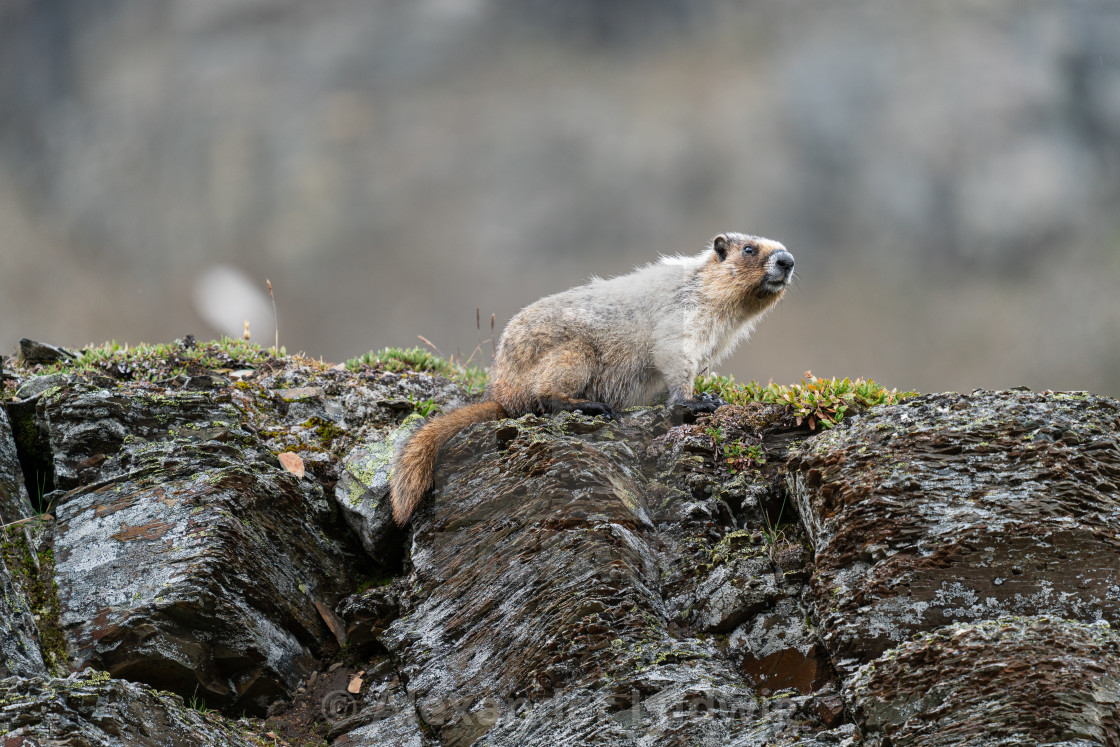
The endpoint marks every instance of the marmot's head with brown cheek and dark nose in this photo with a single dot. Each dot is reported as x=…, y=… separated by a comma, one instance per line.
x=751, y=268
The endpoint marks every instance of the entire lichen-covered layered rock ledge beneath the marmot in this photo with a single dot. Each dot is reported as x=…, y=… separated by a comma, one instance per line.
x=939, y=572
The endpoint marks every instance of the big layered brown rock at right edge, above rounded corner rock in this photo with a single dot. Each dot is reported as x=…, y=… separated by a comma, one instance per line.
x=956, y=508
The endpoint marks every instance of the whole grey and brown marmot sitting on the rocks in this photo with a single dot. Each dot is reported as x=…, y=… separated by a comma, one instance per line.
x=614, y=344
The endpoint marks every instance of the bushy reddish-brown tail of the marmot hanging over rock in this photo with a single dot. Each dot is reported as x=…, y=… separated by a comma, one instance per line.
x=416, y=463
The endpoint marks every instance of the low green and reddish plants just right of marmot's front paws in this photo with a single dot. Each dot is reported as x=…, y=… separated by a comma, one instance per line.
x=818, y=401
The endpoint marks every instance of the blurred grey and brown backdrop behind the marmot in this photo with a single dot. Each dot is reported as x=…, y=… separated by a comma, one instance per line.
x=948, y=175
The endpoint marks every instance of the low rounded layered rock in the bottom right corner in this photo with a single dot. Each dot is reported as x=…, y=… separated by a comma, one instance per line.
x=1007, y=681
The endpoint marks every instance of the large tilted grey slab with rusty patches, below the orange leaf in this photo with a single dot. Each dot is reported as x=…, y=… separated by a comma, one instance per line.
x=200, y=573
